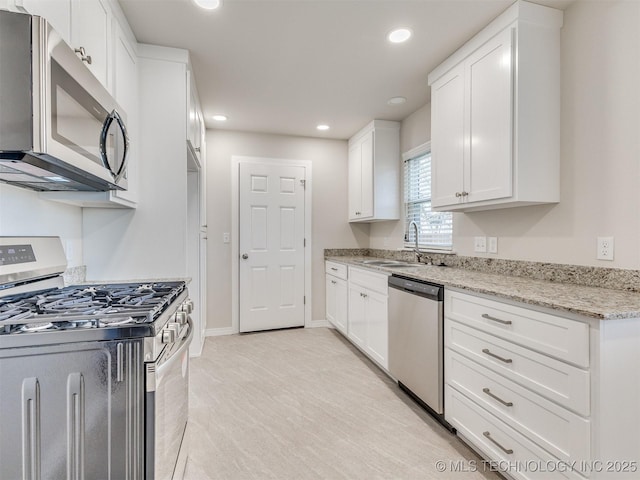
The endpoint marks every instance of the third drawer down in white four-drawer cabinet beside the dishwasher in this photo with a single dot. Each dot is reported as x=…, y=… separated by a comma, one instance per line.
x=559, y=431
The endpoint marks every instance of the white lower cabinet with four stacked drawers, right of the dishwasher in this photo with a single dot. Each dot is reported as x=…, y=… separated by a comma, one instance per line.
x=508, y=397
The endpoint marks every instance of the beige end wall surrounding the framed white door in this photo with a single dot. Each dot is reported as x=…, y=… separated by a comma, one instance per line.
x=330, y=228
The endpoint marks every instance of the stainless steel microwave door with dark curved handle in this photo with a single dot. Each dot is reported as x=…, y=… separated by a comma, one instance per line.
x=82, y=124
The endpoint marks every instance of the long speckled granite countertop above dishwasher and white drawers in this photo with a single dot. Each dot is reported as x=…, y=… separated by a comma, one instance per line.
x=593, y=302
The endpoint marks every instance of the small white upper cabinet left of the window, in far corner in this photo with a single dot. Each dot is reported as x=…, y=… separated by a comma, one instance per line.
x=374, y=168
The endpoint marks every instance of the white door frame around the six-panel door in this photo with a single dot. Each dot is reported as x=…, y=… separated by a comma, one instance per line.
x=235, y=229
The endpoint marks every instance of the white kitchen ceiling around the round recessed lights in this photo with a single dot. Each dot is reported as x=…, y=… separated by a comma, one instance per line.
x=284, y=66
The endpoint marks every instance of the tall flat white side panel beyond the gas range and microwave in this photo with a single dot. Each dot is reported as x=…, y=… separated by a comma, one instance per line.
x=150, y=241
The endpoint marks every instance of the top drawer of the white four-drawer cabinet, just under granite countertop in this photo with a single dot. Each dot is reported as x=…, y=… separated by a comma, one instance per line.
x=556, y=336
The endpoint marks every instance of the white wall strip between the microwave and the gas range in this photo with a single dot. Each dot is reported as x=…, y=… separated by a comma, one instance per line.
x=23, y=213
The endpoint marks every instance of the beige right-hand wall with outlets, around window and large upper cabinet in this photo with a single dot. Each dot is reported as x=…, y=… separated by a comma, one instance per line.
x=600, y=152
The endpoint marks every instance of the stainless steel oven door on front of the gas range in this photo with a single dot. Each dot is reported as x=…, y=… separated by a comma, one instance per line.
x=166, y=412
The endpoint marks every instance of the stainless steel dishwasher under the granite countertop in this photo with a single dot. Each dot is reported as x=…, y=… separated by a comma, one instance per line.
x=416, y=344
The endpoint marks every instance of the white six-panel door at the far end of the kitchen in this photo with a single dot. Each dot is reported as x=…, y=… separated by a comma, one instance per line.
x=272, y=269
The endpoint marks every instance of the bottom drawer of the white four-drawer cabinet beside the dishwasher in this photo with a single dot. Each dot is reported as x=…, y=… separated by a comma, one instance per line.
x=519, y=457
